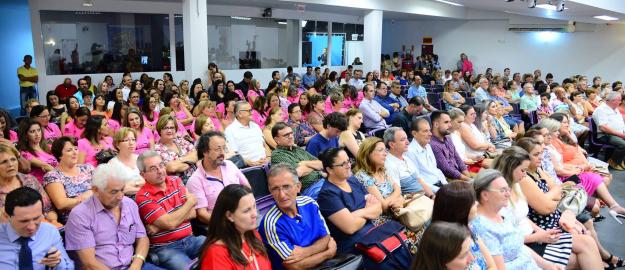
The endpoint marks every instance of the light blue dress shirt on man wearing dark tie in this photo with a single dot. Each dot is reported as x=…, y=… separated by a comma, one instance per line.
x=46, y=237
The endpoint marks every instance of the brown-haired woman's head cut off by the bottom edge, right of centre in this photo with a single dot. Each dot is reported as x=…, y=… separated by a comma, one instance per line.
x=445, y=246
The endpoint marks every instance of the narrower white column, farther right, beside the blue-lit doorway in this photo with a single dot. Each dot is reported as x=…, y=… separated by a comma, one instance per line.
x=373, y=40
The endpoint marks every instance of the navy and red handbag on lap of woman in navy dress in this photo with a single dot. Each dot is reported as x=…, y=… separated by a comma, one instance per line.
x=384, y=247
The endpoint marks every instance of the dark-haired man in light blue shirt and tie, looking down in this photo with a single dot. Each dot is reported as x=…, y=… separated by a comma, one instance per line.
x=25, y=241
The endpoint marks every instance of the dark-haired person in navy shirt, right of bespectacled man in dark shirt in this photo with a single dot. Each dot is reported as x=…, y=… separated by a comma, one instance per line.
x=333, y=125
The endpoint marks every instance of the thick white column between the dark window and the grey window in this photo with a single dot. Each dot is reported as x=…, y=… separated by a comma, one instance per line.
x=196, y=49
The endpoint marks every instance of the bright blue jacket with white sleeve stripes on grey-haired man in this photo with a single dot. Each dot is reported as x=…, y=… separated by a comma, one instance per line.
x=281, y=233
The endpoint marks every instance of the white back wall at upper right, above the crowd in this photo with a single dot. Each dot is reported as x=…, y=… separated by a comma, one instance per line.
x=489, y=44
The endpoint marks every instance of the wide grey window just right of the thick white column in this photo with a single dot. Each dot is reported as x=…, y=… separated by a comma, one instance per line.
x=251, y=43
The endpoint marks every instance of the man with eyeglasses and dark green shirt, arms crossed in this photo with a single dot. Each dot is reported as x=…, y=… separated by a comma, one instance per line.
x=307, y=166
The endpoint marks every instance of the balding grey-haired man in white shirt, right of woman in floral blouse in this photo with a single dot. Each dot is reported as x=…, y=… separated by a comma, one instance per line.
x=399, y=168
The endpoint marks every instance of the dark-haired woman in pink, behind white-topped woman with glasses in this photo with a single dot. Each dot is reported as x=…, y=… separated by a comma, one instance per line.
x=95, y=139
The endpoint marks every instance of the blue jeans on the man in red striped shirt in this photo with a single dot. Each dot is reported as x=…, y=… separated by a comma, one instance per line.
x=177, y=254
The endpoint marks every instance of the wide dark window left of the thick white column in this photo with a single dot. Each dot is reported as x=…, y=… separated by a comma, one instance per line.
x=101, y=42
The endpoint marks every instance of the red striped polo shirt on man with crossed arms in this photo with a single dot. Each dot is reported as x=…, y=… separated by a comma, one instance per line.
x=154, y=203
